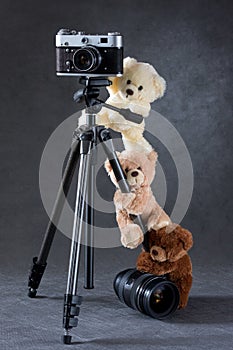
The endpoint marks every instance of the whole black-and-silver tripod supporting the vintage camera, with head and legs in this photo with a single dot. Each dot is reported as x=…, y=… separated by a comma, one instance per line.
x=83, y=147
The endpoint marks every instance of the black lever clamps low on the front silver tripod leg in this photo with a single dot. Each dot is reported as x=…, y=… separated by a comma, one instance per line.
x=71, y=310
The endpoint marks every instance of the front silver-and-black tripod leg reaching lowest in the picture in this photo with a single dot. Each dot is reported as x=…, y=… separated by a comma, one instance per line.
x=71, y=299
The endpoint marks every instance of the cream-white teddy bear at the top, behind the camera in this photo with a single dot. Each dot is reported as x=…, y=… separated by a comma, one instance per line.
x=139, y=86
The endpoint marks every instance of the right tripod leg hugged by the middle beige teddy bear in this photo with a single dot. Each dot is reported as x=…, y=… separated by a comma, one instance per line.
x=106, y=139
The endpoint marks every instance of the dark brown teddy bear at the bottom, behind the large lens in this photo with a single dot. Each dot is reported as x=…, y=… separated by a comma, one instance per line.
x=168, y=255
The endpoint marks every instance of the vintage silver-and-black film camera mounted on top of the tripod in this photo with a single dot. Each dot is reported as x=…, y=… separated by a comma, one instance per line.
x=79, y=54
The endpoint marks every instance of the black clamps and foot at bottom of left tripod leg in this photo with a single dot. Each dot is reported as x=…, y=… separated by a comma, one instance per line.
x=35, y=276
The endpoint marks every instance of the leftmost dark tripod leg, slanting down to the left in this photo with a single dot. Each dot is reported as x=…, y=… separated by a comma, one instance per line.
x=40, y=262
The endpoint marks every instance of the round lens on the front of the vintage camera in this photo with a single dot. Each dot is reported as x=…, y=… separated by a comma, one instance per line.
x=86, y=59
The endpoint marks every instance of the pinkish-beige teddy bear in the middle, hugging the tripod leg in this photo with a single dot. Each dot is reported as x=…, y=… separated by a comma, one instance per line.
x=140, y=171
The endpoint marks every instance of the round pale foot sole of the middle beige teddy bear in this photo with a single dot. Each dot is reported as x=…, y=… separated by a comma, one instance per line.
x=131, y=236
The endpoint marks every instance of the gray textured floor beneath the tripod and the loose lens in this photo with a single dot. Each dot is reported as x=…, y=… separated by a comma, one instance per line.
x=105, y=323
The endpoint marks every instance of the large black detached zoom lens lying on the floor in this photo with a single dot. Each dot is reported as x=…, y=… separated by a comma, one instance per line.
x=150, y=294
